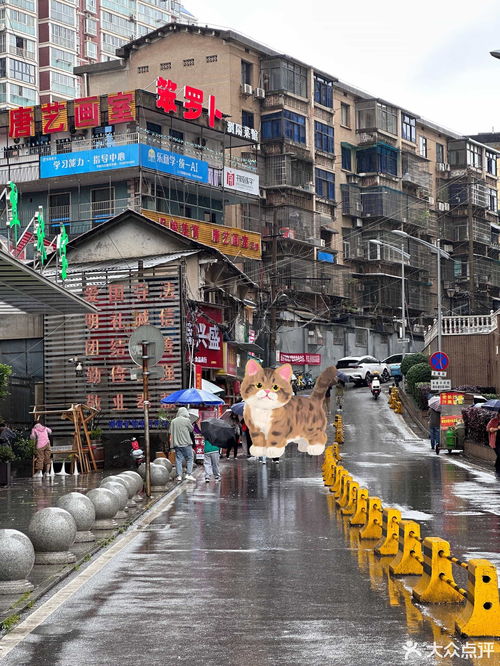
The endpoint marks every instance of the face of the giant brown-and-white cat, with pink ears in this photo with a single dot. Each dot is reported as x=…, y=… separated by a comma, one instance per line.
x=266, y=388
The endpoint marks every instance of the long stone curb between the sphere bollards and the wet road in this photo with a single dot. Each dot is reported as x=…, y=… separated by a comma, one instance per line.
x=26, y=601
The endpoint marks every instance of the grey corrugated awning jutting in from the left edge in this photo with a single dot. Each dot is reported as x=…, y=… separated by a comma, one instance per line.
x=24, y=291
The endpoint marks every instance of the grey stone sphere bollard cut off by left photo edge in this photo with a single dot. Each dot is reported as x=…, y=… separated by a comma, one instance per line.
x=17, y=557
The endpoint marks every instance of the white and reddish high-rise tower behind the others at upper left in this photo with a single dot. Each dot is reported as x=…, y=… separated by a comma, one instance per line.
x=41, y=41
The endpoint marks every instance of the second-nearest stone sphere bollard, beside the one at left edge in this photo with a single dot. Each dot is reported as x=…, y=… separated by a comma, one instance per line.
x=52, y=532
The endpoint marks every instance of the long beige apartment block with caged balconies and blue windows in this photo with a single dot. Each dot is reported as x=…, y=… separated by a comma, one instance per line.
x=339, y=169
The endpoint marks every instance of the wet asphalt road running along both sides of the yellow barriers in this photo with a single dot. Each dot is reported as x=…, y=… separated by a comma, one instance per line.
x=261, y=569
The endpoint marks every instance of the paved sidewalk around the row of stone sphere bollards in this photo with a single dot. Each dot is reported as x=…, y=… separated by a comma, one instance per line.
x=24, y=497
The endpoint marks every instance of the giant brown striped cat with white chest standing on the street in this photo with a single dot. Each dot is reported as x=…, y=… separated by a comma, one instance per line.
x=275, y=417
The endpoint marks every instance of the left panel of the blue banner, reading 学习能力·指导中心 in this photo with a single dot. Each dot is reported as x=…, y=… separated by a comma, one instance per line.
x=86, y=161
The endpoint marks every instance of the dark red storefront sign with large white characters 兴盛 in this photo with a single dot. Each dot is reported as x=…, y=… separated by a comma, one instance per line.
x=206, y=337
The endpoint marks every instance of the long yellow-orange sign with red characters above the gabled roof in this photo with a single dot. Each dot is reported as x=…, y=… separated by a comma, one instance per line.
x=229, y=240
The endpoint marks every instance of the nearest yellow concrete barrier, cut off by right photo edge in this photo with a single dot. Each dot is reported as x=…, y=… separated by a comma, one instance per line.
x=481, y=615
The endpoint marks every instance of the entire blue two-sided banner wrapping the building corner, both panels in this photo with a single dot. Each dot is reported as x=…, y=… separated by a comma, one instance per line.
x=121, y=157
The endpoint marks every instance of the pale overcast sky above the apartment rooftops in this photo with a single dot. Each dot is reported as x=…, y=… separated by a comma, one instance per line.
x=431, y=57
